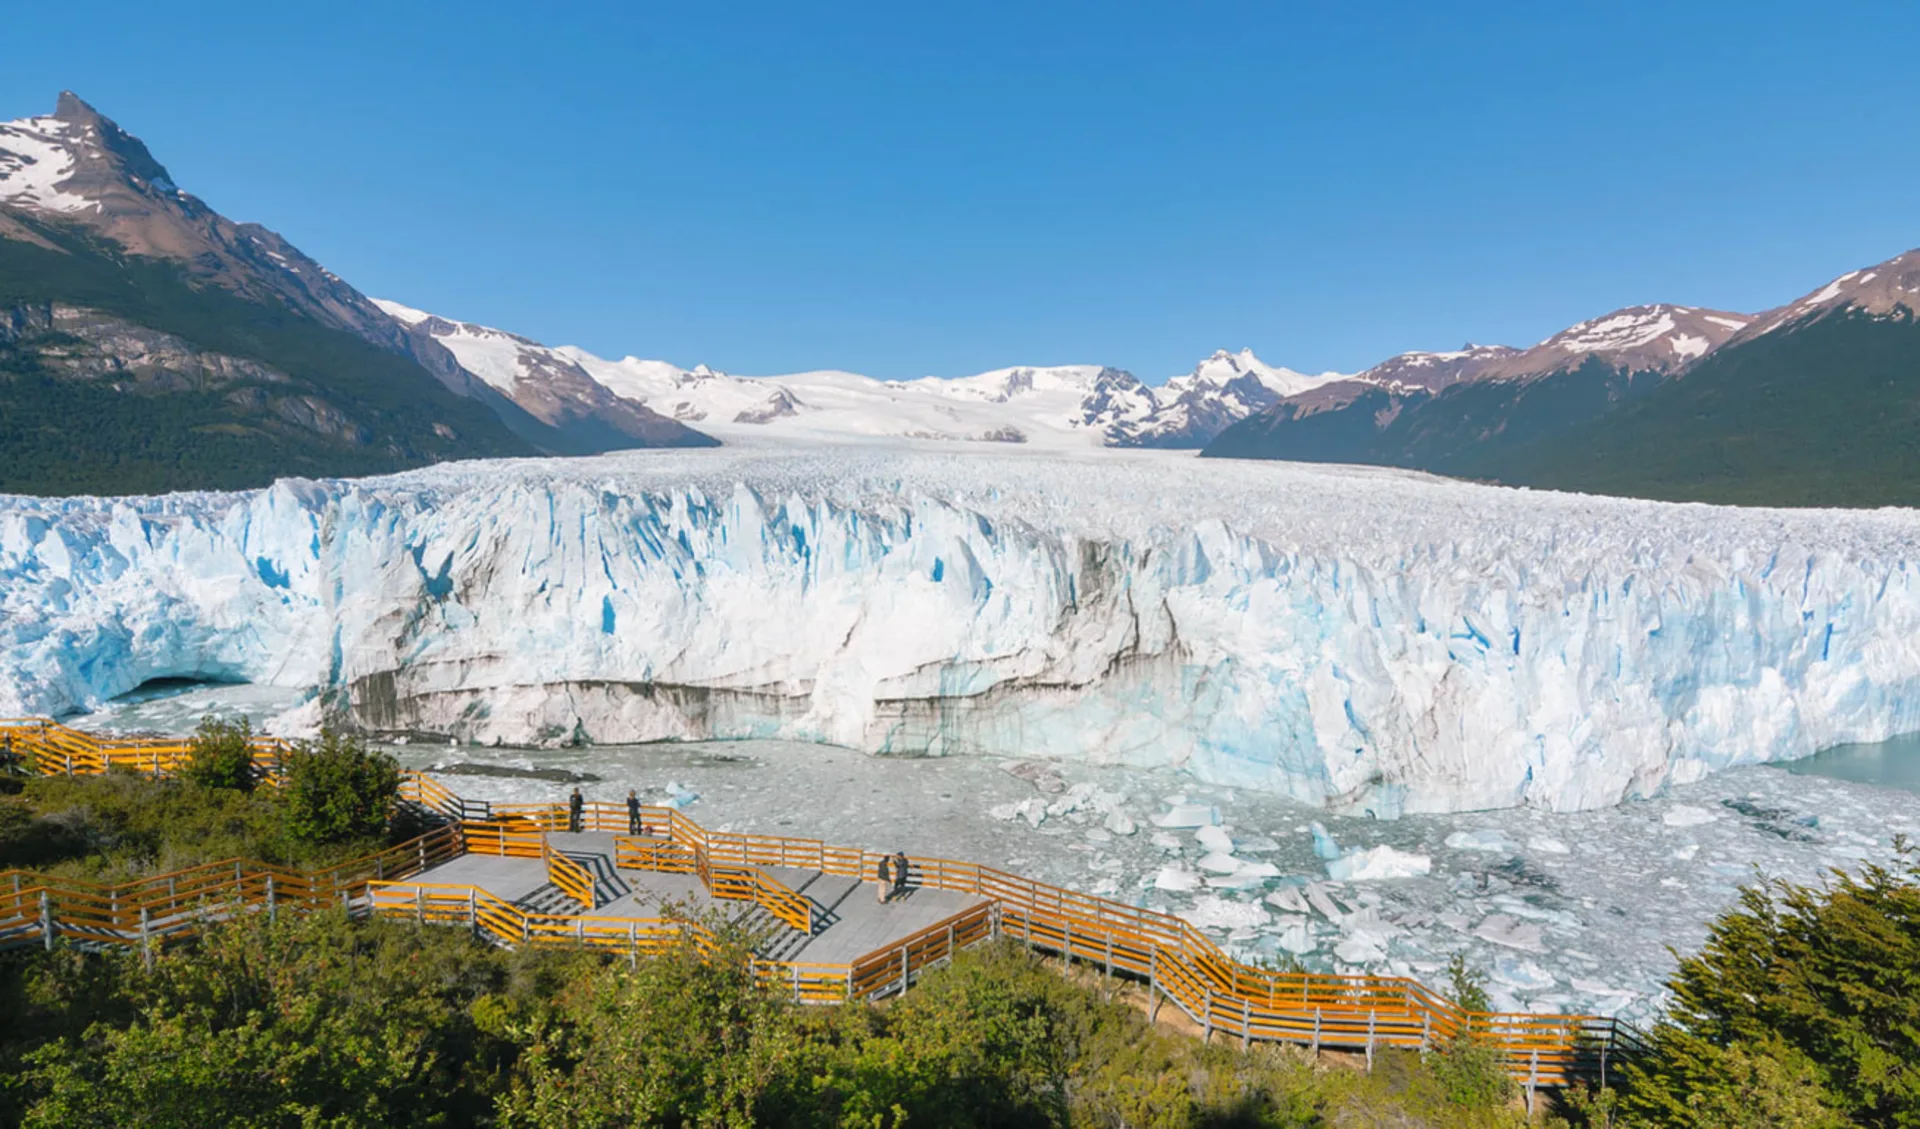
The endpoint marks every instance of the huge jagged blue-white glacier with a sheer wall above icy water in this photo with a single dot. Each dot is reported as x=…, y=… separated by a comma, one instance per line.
x=1364, y=640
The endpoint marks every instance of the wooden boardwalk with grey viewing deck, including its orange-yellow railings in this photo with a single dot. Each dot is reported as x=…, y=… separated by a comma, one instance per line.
x=514, y=873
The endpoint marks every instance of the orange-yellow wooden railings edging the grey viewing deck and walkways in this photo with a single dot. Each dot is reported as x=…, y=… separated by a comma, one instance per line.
x=1178, y=961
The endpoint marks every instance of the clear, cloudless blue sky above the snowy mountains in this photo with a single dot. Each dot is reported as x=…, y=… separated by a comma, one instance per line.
x=940, y=189
